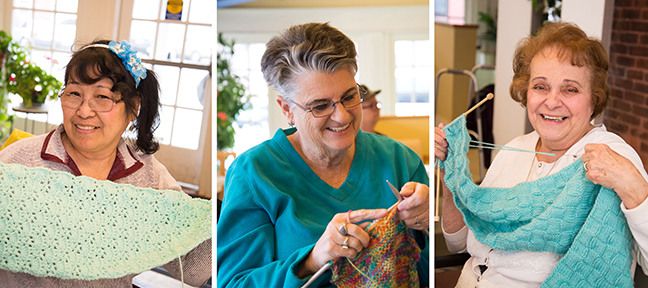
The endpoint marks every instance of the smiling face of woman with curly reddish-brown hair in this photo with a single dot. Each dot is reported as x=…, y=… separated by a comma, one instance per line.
x=559, y=100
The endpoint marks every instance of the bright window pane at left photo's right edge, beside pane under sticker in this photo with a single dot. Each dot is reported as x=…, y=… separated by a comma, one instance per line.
x=197, y=45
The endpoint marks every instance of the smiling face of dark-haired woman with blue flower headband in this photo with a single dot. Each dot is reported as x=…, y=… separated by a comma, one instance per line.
x=90, y=132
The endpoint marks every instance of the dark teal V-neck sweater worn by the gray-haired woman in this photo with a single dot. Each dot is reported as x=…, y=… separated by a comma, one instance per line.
x=276, y=208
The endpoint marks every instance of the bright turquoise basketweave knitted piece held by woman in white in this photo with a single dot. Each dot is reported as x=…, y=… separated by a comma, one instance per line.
x=563, y=213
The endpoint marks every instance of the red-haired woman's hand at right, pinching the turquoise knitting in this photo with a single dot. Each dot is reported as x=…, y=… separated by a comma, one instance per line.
x=608, y=168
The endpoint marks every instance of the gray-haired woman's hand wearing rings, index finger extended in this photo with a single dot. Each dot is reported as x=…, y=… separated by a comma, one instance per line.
x=330, y=246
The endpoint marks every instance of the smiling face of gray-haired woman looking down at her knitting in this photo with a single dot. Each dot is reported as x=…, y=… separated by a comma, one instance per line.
x=333, y=134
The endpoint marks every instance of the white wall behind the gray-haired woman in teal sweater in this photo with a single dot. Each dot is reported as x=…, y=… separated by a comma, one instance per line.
x=372, y=28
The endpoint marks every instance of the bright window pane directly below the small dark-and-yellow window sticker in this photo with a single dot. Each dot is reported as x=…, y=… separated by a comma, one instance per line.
x=169, y=42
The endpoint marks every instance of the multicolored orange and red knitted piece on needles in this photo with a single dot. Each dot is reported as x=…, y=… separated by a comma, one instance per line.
x=389, y=261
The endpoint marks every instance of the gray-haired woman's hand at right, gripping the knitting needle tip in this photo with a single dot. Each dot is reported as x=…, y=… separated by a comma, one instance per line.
x=414, y=209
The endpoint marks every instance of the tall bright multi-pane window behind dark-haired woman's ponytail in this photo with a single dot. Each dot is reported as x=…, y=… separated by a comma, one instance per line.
x=180, y=53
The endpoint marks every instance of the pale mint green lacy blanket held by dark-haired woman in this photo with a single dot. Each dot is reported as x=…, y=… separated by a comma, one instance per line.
x=55, y=224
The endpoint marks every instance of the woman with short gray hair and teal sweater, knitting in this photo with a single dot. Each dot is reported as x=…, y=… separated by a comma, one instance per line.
x=297, y=201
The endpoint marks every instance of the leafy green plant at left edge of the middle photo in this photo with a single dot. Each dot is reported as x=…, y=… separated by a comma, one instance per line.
x=231, y=97
